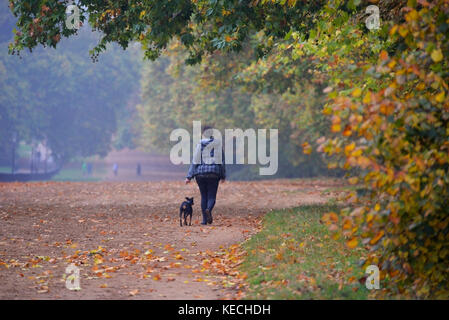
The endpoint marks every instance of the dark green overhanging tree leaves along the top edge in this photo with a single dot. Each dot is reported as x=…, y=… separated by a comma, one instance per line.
x=203, y=26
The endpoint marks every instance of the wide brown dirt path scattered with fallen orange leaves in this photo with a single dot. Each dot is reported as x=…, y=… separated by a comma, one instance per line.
x=126, y=238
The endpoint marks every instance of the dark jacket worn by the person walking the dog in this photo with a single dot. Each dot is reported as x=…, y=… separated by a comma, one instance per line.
x=209, y=163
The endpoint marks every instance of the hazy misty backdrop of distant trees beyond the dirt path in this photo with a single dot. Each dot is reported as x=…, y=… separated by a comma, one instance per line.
x=62, y=113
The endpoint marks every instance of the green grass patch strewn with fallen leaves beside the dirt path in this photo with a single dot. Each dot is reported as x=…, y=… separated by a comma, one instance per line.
x=295, y=257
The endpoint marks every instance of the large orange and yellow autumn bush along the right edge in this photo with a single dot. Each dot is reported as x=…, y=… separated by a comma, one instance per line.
x=390, y=126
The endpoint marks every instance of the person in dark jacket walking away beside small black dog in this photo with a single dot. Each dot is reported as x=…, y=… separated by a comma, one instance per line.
x=208, y=168
